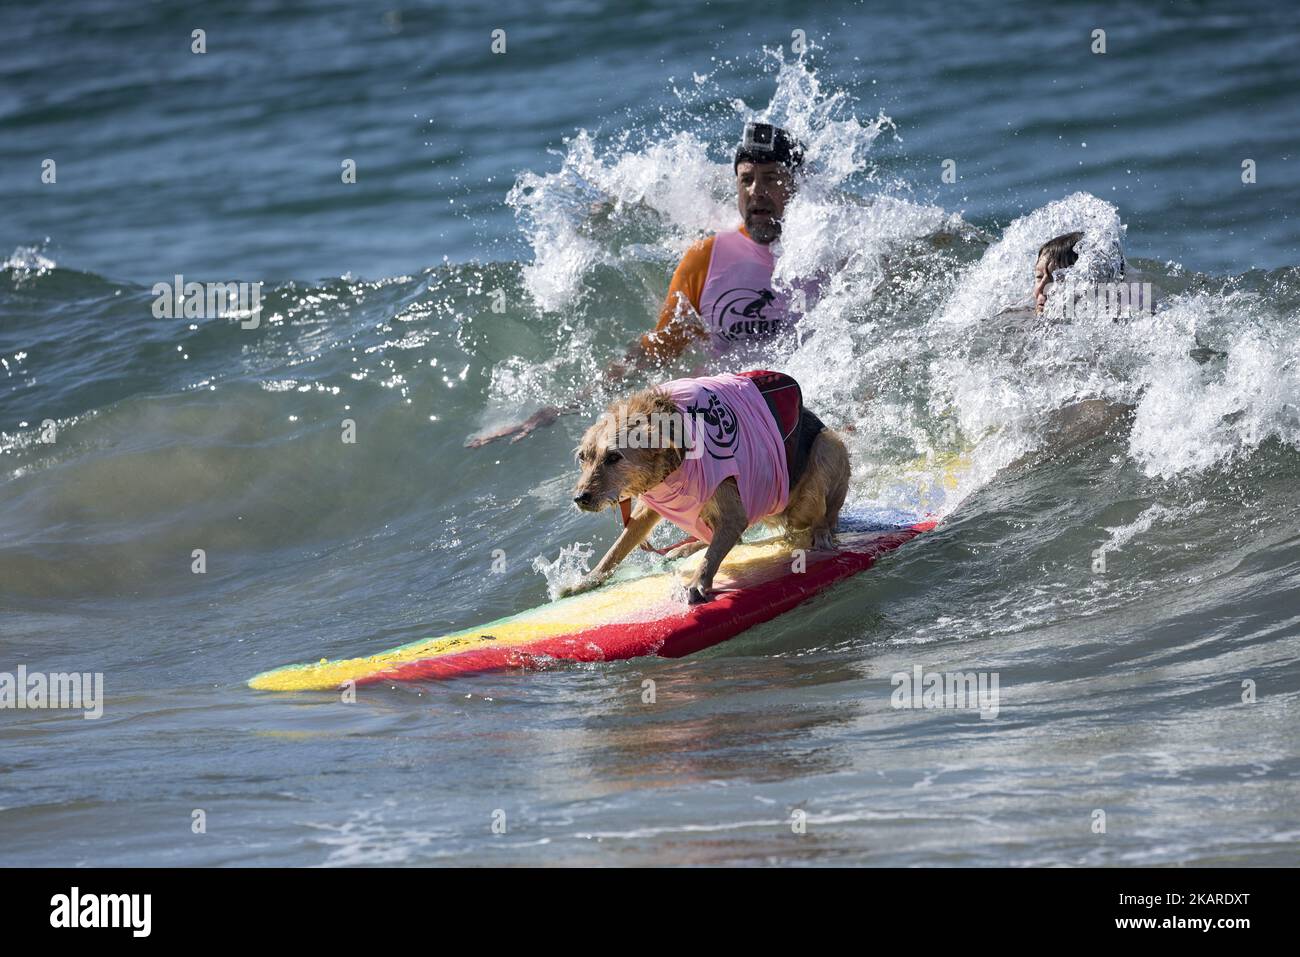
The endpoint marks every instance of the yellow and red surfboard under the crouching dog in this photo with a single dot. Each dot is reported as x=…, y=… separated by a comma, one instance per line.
x=629, y=618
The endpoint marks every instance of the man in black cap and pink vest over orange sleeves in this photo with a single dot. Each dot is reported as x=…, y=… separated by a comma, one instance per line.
x=722, y=291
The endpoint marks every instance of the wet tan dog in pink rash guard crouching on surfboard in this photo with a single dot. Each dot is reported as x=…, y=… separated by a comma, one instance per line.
x=713, y=456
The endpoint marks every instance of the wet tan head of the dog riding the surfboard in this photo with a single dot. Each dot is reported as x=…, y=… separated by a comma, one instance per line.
x=632, y=448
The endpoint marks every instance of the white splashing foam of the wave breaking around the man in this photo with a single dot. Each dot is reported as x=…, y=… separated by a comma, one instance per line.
x=922, y=344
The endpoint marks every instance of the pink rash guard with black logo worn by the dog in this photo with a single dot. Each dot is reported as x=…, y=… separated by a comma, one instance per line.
x=727, y=419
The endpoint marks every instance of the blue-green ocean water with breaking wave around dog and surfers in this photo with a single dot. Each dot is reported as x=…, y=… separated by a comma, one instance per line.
x=1119, y=500
